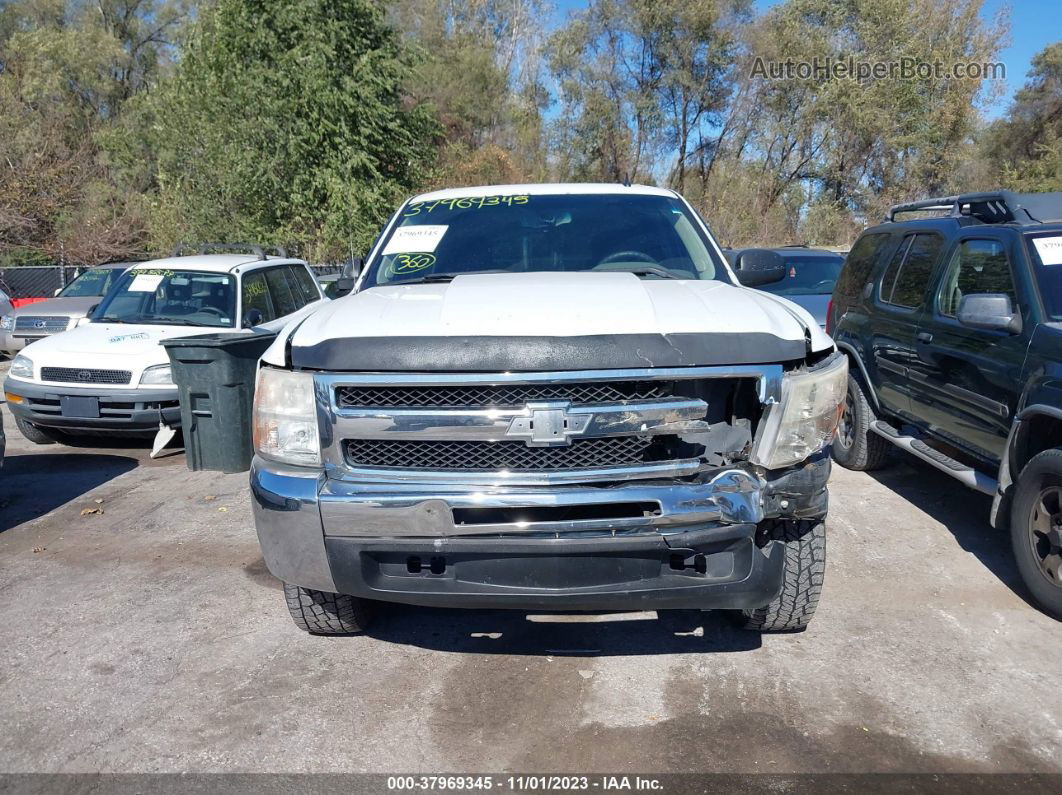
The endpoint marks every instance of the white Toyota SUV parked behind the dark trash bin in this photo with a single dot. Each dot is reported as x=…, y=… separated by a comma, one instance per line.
x=112, y=375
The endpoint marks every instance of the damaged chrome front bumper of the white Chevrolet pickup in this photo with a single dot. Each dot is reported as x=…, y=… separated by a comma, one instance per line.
x=670, y=543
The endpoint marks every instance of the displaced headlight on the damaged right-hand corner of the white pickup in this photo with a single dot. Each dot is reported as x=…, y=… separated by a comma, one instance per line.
x=807, y=418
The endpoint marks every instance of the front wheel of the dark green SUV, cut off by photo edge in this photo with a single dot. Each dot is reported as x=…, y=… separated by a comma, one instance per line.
x=1036, y=530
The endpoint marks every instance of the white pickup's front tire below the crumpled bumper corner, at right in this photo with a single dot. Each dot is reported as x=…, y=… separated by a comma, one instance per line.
x=806, y=566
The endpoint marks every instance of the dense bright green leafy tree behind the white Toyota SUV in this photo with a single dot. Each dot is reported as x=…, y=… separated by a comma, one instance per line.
x=286, y=124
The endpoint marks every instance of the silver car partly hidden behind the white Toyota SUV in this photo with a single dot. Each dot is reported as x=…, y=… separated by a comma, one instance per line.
x=68, y=309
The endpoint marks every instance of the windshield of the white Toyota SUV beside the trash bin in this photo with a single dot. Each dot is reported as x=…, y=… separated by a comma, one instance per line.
x=170, y=298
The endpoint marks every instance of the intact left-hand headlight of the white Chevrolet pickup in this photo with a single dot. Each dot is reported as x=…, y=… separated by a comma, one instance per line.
x=286, y=418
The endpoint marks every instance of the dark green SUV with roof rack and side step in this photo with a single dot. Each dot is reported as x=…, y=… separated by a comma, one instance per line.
x=954, y=330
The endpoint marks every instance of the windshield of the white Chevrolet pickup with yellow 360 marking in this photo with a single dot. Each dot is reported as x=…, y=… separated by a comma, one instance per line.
x=656, y=237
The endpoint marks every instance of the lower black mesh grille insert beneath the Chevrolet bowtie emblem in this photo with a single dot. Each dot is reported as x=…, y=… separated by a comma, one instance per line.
x=495, y=456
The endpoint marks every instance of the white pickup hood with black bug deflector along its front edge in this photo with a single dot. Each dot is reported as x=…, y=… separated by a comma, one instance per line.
x=563, y=318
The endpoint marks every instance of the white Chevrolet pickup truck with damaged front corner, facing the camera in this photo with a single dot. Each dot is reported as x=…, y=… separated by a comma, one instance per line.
x=552, y=396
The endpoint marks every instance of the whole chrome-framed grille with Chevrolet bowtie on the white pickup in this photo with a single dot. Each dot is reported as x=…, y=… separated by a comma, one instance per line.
x=539, y=428
